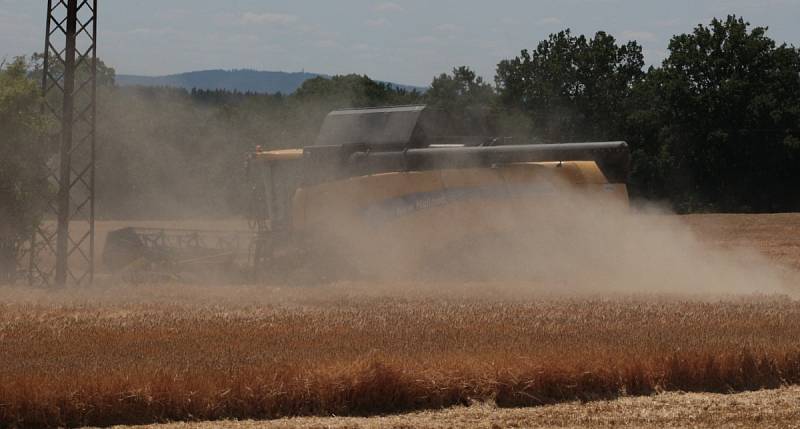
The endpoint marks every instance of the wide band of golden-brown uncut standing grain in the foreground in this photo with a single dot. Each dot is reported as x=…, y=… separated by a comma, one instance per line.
x=273, y=353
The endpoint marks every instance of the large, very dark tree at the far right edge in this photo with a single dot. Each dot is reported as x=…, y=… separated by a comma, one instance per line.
x=729, y=100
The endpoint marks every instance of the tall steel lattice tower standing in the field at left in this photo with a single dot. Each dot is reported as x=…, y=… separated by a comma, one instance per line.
x=63, y=253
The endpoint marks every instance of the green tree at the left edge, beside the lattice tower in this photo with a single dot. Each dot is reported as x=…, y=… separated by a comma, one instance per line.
x=22, y=152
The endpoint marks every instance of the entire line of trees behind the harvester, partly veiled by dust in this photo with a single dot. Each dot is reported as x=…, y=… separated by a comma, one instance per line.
x=714, y=127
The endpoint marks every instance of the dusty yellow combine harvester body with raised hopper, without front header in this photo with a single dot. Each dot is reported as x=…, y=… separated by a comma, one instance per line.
x=395, y=189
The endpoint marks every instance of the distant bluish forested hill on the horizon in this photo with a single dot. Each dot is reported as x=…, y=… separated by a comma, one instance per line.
x=233, y=80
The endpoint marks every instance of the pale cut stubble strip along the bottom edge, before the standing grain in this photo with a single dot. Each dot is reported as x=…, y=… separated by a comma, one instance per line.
x=771, y=408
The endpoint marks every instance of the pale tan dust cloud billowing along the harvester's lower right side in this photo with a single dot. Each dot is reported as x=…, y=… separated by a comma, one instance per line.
x=568, y=240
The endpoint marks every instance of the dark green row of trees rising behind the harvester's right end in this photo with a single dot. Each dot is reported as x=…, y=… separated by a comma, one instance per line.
x=716, y=127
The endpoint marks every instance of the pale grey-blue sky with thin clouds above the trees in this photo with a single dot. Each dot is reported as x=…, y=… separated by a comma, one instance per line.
x=403, y=41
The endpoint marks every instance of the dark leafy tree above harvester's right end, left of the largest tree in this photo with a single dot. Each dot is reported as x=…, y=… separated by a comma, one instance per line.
x=573, y=87
